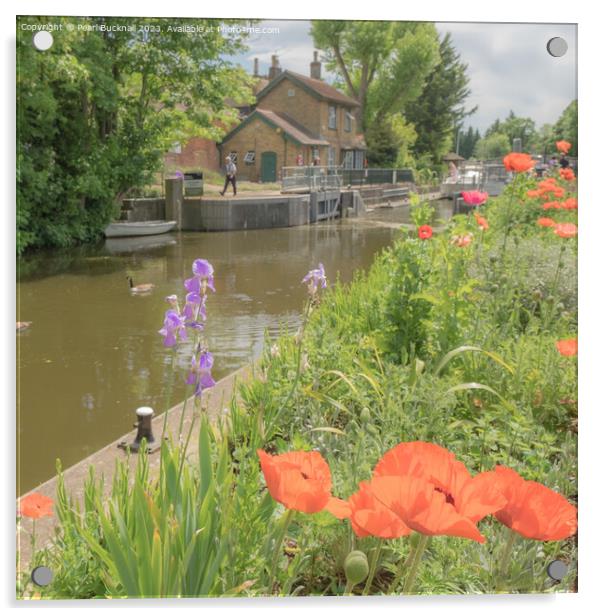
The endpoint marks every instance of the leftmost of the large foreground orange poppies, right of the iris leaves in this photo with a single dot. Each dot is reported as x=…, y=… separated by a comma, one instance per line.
x=300, y=480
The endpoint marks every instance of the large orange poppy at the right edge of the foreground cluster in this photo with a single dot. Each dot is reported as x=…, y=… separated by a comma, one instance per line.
x=533, y=510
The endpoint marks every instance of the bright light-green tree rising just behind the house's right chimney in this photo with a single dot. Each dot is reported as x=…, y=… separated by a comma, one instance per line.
x=382, y=65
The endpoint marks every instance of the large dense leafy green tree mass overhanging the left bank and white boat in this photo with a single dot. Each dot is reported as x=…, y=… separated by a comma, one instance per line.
x=97, y=111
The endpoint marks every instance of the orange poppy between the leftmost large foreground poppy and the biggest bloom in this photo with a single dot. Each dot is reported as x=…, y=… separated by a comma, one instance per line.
x=369, y=517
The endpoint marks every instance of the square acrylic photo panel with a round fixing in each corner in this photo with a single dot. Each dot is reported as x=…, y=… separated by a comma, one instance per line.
x=327, y=271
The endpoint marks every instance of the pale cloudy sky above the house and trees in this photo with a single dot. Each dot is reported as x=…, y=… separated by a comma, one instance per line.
x=508, y=65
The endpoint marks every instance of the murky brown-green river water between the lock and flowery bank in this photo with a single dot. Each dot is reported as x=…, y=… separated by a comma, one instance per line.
x=92, y=354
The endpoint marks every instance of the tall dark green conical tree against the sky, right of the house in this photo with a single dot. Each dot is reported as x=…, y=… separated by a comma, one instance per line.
x=439, y=109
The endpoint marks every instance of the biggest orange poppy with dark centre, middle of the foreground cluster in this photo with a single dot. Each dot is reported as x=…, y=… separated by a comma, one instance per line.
x=459, y=500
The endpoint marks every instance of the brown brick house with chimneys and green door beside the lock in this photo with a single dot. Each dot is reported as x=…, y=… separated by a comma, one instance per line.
x=296, y=121
